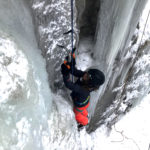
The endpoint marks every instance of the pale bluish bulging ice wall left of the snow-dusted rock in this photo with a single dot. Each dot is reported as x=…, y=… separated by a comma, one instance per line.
x=25, y=99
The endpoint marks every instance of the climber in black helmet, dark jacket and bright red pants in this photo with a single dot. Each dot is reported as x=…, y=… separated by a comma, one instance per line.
x=87, y=82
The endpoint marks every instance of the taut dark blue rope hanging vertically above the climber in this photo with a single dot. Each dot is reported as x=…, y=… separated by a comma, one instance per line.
x=72, y=35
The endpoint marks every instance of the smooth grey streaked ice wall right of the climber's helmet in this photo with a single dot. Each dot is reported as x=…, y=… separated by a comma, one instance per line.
x=116, y=25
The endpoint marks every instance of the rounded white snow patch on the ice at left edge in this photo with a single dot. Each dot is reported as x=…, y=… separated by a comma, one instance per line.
x=13, y=69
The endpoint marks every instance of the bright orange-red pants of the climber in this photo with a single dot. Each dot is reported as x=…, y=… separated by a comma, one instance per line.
x=81, y=114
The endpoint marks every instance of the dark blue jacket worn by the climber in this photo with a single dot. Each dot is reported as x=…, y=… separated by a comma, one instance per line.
x=79, y=94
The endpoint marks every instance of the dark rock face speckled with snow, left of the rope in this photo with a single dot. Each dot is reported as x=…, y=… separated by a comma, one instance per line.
x=52, y=19
